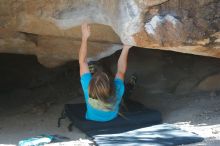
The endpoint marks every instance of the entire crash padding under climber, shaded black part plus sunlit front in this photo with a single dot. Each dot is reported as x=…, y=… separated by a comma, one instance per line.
x=141, y=126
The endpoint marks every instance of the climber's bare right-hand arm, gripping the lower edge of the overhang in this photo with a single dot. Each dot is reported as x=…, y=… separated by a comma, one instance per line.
x=122, y=62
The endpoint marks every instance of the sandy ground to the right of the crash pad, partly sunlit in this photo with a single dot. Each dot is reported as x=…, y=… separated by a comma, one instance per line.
x=198, y=113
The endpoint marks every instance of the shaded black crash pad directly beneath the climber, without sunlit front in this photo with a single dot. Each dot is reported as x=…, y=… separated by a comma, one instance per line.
x=136, y=117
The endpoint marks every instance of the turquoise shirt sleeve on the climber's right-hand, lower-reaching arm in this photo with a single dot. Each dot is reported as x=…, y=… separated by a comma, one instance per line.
x=119, y=86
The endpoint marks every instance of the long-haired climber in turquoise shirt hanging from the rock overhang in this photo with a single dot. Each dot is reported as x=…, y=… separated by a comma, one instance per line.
x=102, y=94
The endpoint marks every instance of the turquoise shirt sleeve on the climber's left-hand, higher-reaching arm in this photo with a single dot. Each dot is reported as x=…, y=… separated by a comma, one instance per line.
x=85, y=80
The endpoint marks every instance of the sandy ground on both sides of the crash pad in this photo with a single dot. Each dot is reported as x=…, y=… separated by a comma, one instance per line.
x=199, y=113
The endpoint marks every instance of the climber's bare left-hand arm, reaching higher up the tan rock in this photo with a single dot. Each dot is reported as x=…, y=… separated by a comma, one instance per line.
x=83, y=49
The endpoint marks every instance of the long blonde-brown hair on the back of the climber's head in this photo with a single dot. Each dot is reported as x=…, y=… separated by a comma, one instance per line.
x=101, y=87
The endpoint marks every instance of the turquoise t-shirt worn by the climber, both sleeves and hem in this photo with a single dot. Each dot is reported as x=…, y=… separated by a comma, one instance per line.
x=97, y=114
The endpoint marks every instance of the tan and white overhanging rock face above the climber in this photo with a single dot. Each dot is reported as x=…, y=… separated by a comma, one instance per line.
x=50, y=29
